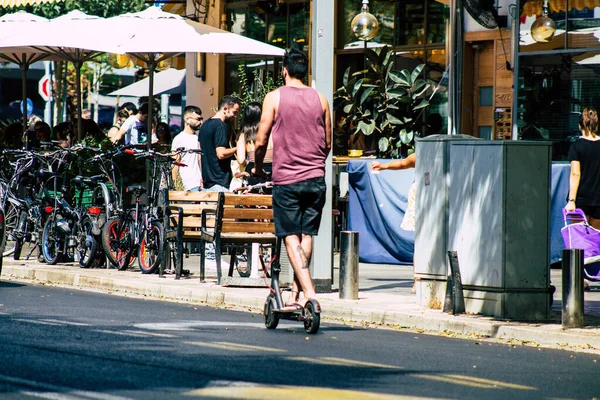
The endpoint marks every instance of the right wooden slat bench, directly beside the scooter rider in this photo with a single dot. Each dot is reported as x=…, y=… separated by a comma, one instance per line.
x=240, y=219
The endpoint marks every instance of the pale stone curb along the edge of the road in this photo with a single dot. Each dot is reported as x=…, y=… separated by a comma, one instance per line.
x=475, y=327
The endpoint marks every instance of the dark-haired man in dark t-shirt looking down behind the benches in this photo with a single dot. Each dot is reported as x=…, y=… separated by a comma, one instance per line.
x=214, y=142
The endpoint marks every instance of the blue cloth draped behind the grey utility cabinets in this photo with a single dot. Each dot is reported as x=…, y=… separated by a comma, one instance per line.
x=377, y=203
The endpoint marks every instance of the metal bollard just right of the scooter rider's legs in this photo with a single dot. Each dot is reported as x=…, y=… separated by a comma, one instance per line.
x=349, y=265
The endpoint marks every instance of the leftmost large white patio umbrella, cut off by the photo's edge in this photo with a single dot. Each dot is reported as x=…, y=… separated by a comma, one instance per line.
x=22, y=21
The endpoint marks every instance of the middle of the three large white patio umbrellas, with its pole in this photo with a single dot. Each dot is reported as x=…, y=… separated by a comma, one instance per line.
x=75, y=37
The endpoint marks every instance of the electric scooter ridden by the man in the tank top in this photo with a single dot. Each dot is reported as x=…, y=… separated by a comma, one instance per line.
x=310, y=315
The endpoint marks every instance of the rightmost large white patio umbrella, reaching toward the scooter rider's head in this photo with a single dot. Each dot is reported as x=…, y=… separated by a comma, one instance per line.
x=157, y=35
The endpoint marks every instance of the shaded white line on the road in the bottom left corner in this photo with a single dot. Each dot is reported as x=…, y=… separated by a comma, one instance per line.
x=57, y=392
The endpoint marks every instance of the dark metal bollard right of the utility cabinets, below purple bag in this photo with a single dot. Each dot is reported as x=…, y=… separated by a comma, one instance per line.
x=572, y=290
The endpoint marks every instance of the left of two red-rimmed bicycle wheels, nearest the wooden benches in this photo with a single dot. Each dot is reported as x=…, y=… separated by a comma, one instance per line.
x=117, y=241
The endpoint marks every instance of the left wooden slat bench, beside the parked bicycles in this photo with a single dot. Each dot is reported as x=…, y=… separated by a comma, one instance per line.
x=182, y=223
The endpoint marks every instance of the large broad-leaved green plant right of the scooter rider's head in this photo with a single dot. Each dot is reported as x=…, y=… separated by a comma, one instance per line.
x=383, y=103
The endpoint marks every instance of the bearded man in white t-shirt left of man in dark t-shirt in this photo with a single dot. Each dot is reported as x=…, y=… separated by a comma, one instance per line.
x=191, y=174
